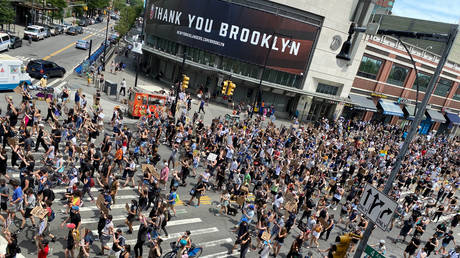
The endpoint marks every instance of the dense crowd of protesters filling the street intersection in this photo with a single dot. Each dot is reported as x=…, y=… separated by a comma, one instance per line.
x=278, y=178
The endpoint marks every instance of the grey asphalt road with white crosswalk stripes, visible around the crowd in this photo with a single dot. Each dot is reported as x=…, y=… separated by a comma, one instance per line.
x=210, y=231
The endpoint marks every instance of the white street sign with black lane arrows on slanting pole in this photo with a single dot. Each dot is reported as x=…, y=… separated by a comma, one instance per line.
x=377, y=206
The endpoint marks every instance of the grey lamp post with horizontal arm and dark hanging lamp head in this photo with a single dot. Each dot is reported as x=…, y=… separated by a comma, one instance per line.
x=345, y=55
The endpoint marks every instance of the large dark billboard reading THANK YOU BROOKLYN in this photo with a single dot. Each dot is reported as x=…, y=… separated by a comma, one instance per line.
x=235, y=31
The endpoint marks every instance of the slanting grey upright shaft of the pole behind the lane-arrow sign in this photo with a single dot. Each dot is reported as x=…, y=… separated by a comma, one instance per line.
x=411, y=134
